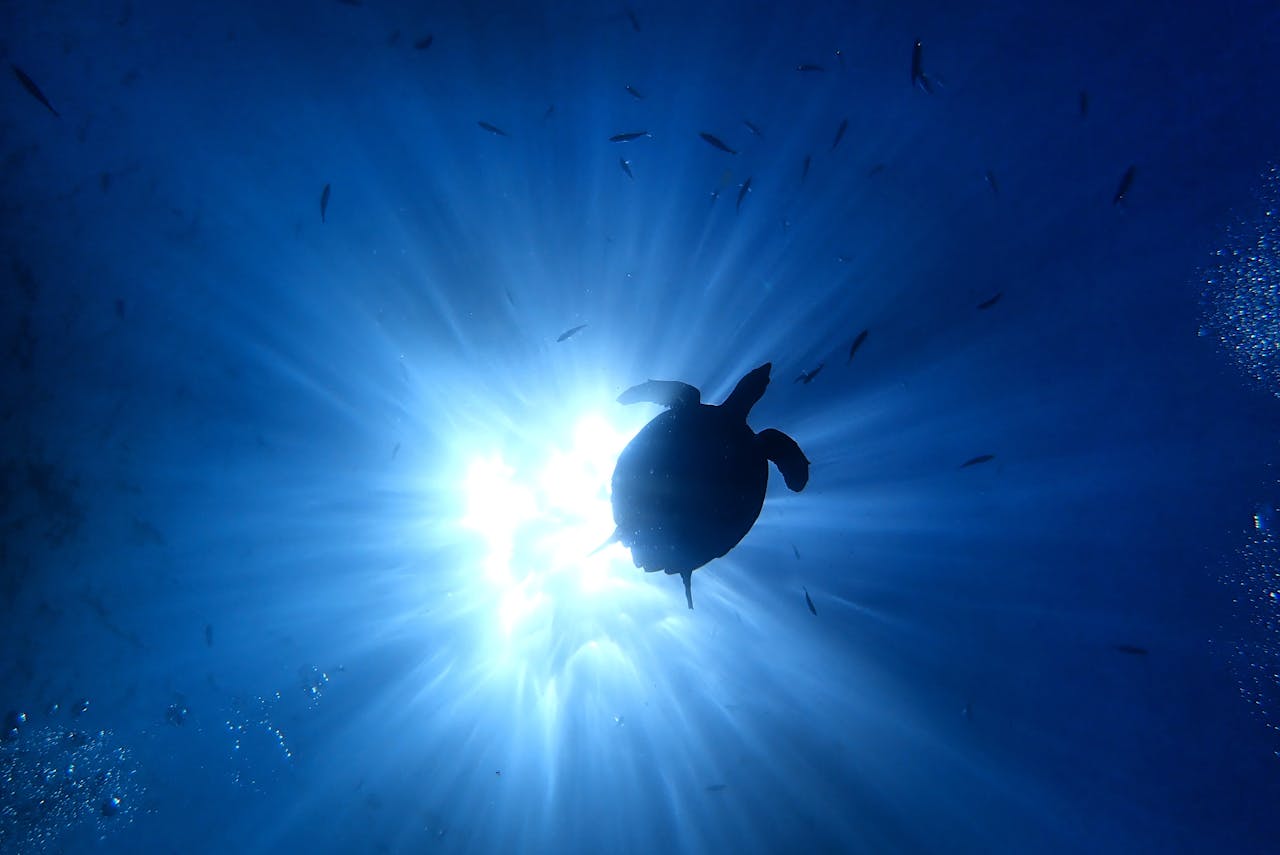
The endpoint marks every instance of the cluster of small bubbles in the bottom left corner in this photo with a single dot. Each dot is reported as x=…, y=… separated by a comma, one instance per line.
x=57, y=779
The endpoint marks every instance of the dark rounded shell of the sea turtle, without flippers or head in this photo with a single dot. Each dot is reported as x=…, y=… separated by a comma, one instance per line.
x=688, y=488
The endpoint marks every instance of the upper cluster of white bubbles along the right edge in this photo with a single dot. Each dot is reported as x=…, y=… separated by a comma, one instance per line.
x=1242, y=291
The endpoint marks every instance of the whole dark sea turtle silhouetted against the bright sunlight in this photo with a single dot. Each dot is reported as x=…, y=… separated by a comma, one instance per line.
x=691, y=486
